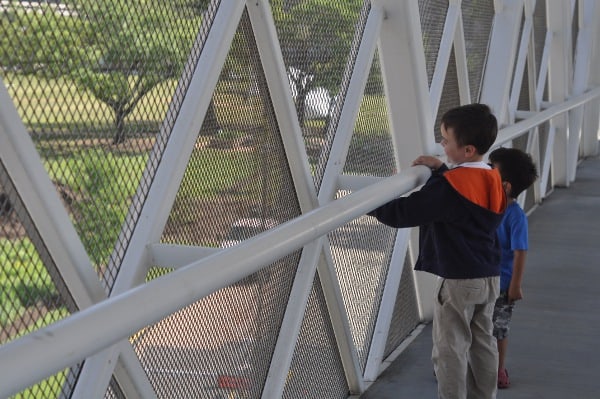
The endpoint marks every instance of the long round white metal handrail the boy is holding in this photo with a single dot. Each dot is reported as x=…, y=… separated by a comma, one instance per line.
x=51, y=349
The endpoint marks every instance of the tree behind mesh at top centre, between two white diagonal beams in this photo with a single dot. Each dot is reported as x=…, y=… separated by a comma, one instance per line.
x=315, y=37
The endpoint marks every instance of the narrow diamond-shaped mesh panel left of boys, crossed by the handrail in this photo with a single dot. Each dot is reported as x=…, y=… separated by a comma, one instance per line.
x=361, y=250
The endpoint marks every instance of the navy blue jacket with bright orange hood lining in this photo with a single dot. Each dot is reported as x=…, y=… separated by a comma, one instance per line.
x=458, y=211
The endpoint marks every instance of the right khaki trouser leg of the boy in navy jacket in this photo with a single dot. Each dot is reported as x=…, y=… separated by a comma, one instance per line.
x=483, y=355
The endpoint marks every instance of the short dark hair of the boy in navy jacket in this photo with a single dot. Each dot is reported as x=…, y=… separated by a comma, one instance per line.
x=473, y=124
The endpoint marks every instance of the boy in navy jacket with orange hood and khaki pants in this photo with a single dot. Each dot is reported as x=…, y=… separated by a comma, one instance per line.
x=458, y=210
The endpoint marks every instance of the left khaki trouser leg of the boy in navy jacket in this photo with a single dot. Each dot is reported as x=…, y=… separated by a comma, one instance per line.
x=451, y=338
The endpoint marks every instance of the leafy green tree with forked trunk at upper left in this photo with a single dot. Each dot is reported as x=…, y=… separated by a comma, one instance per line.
x=116, y=50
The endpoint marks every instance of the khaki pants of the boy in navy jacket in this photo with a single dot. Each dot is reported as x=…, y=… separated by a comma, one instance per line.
x=465, y=353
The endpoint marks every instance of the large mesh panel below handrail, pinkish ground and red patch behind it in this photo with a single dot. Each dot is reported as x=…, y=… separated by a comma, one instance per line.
x=220, y=346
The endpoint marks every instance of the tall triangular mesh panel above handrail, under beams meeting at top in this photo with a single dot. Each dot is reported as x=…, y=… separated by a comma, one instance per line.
x=238, y=182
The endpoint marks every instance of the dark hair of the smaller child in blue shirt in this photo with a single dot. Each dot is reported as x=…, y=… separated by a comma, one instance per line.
x=515, y=167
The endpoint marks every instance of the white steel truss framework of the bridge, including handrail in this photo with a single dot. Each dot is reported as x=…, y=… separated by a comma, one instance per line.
x=99, y=332
